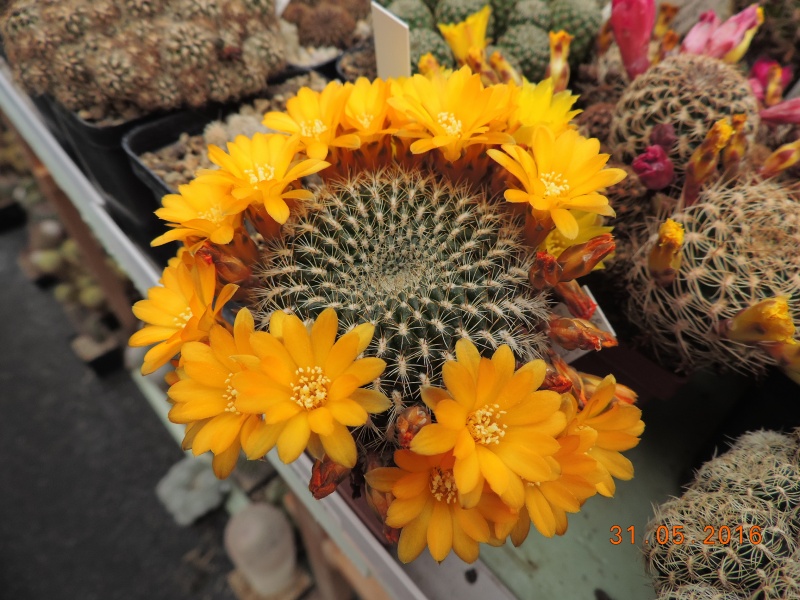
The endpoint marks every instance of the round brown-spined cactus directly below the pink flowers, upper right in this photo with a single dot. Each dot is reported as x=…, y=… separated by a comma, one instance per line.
x=687, y=91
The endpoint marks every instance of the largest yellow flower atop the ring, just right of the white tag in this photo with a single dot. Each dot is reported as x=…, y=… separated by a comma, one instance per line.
x=451, y=113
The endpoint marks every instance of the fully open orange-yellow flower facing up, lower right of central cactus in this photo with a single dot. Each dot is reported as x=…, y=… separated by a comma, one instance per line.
x=498, y=426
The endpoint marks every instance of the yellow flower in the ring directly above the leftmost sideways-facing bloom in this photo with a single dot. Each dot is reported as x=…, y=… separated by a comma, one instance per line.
x=200, y=210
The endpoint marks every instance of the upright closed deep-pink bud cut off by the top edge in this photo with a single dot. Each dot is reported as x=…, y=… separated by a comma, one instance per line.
x=632, y=22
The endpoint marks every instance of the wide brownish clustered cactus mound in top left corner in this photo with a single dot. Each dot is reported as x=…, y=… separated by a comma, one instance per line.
x=125, y=57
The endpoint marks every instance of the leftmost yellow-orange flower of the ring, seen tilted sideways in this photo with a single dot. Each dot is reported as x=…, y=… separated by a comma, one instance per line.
x=183, y=309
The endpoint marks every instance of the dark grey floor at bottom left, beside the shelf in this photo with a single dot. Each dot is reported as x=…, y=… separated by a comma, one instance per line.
x=79, y=519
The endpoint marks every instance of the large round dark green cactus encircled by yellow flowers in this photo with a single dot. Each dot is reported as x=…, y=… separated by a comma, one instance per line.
x=427, y=262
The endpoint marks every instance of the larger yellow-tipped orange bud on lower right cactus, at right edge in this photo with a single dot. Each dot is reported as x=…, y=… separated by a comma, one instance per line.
x=765, y=321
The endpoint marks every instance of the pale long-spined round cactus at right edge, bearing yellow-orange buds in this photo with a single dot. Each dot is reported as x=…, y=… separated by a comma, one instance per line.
x=742, y=245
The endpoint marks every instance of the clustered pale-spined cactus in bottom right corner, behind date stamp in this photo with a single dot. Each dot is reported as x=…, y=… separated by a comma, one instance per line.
x=754, y=491
